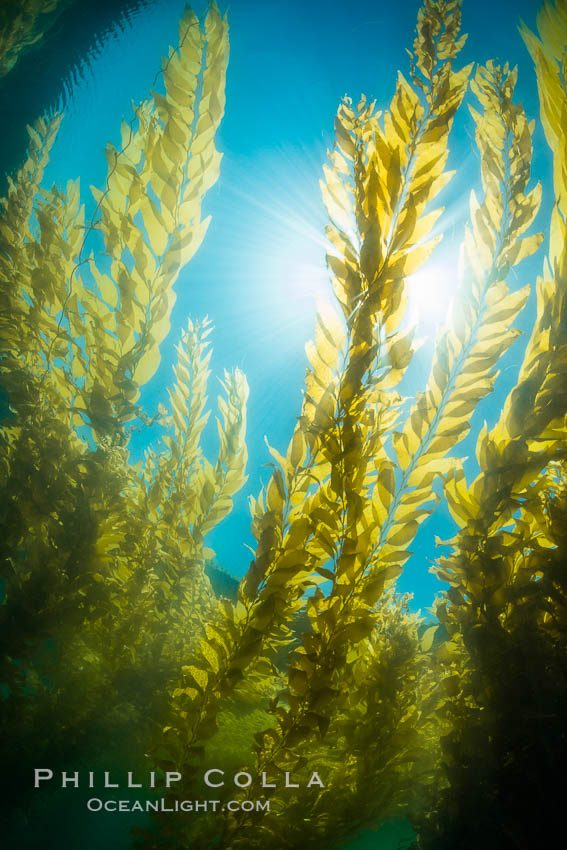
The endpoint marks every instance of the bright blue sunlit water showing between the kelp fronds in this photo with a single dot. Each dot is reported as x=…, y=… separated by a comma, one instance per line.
x=262, y=264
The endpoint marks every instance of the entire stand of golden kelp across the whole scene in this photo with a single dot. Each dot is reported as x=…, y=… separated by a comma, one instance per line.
x=317, y=666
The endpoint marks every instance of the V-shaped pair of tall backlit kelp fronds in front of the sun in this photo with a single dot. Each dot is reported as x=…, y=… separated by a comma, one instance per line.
x=369, y=508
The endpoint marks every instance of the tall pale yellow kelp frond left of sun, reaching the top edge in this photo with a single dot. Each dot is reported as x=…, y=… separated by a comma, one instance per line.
x=170, y=157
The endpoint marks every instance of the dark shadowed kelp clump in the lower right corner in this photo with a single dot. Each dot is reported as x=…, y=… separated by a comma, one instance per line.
x=506, y=610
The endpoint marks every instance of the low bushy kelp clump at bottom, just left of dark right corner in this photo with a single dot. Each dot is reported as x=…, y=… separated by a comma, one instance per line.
x=373, y=743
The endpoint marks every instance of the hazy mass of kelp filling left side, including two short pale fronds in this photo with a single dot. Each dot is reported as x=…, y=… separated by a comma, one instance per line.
x=103, y=561
